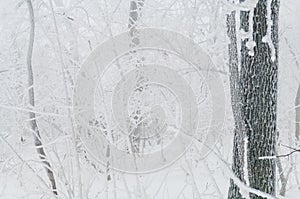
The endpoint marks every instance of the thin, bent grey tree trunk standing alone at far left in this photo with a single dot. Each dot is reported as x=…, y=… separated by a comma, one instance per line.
x=32, y=116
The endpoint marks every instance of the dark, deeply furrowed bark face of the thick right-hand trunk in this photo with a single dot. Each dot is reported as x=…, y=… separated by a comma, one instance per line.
x=259, y=81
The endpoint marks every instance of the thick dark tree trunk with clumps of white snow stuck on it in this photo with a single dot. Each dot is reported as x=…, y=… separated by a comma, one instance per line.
x=257, y=86
